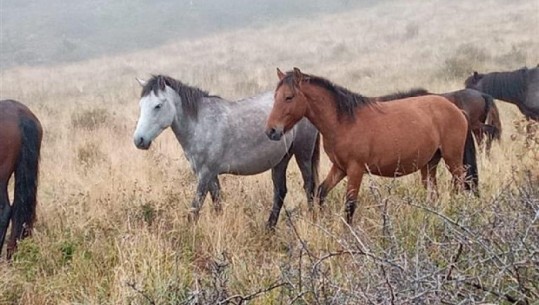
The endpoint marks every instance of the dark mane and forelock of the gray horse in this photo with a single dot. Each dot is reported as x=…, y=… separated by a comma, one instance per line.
x=189, y=95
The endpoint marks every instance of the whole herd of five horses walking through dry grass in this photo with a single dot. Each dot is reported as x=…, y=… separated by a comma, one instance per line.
x=389, y=136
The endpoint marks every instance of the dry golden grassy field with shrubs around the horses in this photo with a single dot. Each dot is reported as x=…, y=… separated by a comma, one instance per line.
x=112, y=220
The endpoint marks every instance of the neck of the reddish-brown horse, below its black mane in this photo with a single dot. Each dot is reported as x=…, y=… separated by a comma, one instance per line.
x=321, y=110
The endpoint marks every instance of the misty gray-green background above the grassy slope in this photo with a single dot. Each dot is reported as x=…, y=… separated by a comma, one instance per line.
x=43, y=32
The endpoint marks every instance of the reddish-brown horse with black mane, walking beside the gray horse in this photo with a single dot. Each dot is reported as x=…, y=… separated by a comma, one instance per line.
x=364, y=136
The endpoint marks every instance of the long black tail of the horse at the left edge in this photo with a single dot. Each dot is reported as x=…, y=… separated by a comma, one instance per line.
x=26, y=180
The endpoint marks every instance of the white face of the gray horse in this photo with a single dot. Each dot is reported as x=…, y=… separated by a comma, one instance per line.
x=157, y=112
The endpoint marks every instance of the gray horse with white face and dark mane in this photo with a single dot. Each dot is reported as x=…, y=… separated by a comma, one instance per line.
x=223, y=137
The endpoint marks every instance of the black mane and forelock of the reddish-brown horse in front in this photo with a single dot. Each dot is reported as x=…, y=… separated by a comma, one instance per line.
x=346, y=101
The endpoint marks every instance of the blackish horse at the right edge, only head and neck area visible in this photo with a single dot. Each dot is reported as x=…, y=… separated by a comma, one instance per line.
x=519, y=87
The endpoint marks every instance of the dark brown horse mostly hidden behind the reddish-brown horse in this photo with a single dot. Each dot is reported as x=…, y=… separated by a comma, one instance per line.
x=479, y=107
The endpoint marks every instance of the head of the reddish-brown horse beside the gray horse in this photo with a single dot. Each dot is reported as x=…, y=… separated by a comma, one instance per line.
x=289, y=106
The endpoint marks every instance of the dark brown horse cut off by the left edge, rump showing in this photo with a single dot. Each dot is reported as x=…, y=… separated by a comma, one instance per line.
x=20, y=138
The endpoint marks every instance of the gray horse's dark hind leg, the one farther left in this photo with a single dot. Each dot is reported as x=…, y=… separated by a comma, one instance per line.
x=278, y=175
